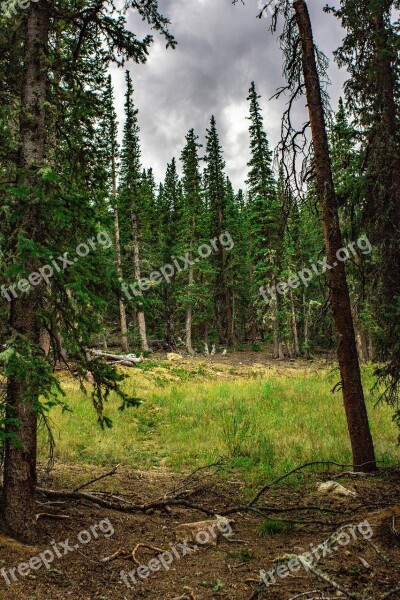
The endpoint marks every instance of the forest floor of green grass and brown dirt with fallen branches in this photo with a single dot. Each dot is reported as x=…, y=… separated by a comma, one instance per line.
x=294, y=518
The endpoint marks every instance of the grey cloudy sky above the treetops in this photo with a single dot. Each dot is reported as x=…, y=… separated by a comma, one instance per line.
x=221, y=49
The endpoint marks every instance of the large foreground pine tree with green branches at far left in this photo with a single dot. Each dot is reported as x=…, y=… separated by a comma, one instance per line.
x=52, y=206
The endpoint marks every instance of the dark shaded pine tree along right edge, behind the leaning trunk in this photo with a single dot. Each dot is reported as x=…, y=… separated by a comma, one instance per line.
x=370, y=53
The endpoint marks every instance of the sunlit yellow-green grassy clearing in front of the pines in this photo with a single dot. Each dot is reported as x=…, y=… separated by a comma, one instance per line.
x=265, y=423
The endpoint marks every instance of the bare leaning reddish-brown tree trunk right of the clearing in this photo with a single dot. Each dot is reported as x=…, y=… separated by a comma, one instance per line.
x=353, y=395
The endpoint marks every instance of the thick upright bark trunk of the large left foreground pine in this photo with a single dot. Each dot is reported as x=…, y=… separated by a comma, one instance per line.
x=23, y=392
